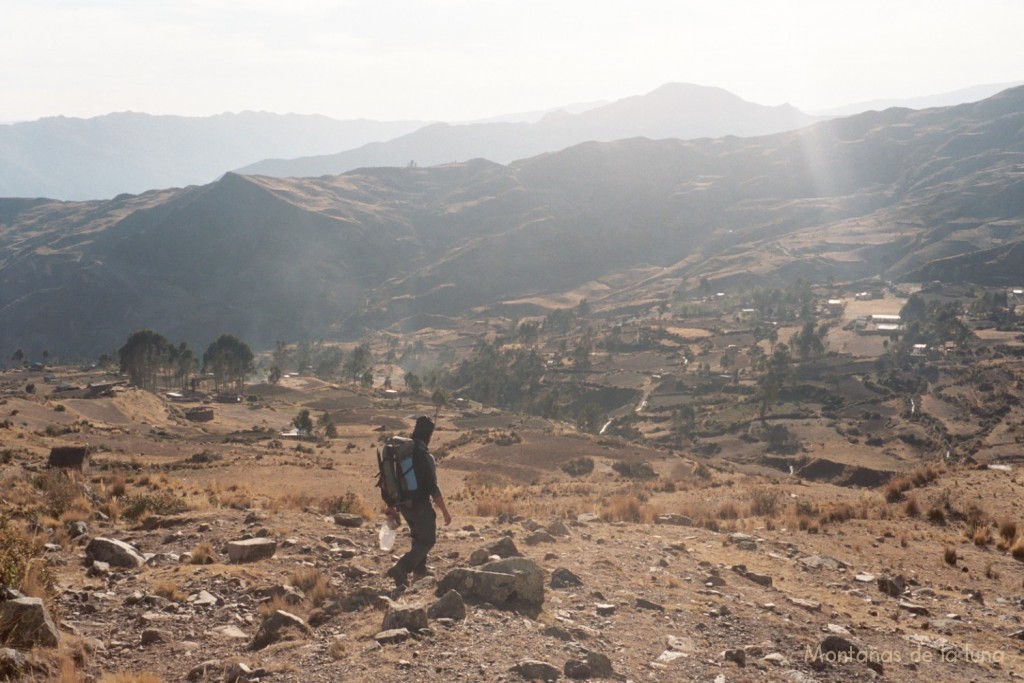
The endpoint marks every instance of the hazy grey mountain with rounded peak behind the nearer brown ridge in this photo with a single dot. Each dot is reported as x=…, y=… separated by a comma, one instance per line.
x=675, y=111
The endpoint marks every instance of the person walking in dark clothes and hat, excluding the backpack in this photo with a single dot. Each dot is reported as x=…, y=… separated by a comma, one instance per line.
x=417, y=509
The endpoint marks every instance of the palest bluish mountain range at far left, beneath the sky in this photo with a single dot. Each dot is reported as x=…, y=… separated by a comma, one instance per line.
x=103, y=157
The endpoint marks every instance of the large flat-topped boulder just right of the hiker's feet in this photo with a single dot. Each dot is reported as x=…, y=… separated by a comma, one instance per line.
x=507, y=583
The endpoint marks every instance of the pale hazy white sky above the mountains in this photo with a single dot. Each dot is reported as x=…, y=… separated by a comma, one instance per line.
x=462, y=60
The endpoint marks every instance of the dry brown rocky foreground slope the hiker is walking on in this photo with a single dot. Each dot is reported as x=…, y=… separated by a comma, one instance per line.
x=706, y=574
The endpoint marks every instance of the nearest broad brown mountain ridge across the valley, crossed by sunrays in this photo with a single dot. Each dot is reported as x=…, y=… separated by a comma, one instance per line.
x=900, y=195
